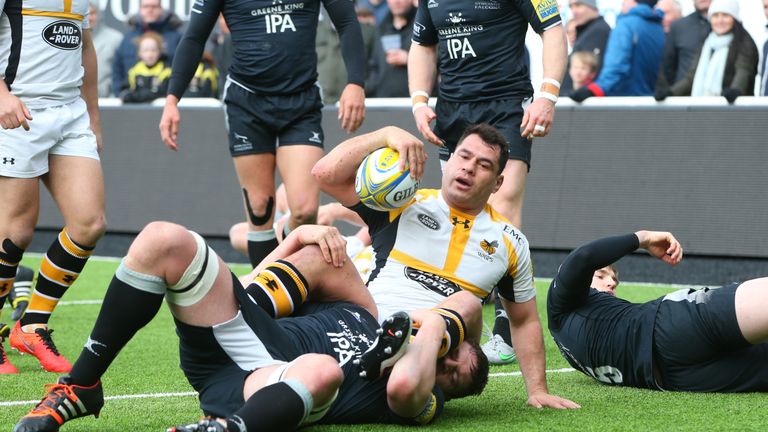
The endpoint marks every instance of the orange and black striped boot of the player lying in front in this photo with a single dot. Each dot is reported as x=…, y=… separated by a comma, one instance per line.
x=63, y=402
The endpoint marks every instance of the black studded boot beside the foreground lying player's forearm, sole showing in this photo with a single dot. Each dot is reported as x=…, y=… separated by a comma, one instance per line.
x=389, y=346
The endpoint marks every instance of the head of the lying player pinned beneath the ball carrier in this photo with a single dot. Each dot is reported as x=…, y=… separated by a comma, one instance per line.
x=463, y=372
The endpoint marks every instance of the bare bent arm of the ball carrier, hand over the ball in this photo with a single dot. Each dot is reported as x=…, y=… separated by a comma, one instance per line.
x=335, y=172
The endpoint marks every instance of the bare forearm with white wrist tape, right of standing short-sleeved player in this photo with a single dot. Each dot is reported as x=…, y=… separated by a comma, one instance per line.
x=542, y=111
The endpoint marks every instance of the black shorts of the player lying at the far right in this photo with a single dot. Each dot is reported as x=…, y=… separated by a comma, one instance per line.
x=698, y=345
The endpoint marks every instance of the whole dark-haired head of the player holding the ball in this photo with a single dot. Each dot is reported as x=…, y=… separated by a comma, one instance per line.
x=473, y=172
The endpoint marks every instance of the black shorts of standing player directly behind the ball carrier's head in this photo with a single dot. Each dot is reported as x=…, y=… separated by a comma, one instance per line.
x=506, y=115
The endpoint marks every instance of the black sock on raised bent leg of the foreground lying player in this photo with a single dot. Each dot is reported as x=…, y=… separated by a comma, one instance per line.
x=125, y=310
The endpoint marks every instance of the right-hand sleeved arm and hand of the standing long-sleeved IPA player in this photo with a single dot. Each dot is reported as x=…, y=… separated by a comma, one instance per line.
x=352, y=100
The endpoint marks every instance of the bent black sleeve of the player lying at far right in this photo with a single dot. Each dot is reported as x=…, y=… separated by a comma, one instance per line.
x=570, y=286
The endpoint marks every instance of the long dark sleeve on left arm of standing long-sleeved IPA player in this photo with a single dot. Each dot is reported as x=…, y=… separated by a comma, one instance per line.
x=202, y=18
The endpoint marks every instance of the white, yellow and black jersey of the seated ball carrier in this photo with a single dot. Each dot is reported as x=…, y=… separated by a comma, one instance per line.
x=426, y=251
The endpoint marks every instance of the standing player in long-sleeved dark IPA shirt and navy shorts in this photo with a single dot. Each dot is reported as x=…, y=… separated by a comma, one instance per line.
x=272, y=102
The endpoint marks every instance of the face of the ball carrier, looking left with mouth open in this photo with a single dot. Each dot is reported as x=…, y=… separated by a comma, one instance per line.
x=470, y=175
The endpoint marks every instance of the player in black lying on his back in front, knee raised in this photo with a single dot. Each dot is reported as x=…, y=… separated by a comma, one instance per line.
x=236, y=355
